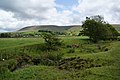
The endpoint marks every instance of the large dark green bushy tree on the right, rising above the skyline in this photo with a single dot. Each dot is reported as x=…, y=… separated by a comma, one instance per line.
x=97, y=29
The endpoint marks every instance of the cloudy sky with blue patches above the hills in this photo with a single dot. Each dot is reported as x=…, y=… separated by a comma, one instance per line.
x=16, y=14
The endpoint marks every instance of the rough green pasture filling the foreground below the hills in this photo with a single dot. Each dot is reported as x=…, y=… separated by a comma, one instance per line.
x=100, y=61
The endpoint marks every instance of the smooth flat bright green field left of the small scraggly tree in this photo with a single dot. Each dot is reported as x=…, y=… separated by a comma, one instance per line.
x=13, y=42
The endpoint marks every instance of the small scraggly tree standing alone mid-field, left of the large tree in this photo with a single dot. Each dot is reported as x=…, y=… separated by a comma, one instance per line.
x=51, y=41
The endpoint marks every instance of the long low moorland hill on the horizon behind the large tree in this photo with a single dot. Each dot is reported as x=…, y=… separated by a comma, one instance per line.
x=72, y=28
